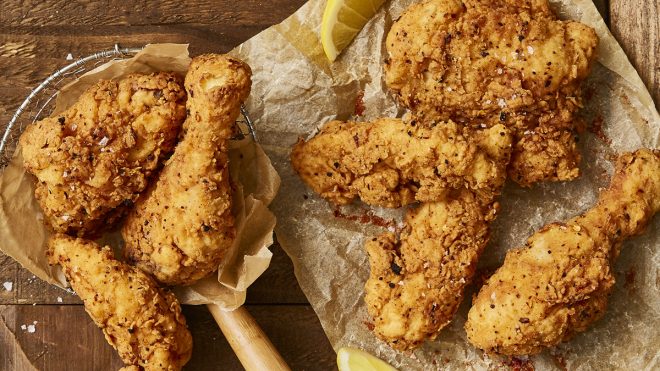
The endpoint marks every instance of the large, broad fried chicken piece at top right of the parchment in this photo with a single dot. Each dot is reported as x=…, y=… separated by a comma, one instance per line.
x=496, y=61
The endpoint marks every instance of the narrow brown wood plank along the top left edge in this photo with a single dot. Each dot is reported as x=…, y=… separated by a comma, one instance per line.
x=145, y=12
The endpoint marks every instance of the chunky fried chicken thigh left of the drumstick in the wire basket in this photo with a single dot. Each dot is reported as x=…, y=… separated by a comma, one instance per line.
x=99, y=154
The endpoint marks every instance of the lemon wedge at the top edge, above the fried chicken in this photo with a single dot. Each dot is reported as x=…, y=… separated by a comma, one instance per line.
x=342, y=20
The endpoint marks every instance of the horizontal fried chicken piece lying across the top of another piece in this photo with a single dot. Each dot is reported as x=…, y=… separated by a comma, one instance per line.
x=390, y=163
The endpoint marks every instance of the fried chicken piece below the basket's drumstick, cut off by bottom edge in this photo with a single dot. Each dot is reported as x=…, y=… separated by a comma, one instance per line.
x=143, y=322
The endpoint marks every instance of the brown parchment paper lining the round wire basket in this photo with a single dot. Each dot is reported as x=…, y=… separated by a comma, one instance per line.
x=23, y=234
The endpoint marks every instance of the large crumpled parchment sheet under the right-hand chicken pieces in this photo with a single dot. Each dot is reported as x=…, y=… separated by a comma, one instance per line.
x=296, y=90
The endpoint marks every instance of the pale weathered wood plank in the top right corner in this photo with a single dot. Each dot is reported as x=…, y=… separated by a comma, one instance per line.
x=636, y=24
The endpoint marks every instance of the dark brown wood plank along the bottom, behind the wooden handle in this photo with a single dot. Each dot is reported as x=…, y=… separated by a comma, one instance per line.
x=65, y=335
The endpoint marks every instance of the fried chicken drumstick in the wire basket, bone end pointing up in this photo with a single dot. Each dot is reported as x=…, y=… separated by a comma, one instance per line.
x=181, y=228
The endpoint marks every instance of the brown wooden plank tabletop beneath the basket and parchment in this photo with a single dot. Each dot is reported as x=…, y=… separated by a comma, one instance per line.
x=35, y=39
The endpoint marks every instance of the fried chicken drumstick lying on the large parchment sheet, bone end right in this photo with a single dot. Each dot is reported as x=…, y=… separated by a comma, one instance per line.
x=559, y=283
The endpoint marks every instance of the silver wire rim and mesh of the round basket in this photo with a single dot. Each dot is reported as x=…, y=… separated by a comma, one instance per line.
x=40, y=102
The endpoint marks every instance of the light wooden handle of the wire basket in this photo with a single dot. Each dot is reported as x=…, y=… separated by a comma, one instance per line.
x=250, y=343
